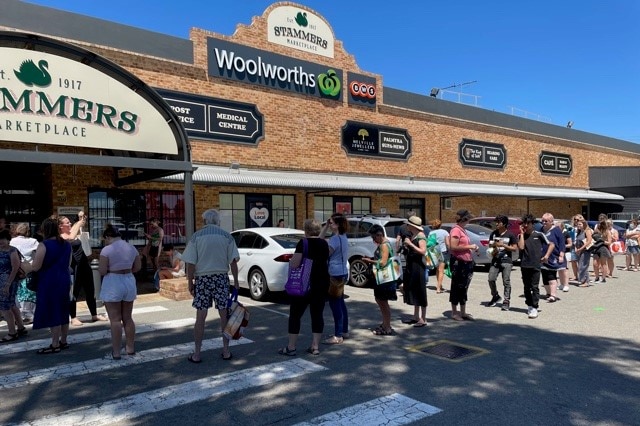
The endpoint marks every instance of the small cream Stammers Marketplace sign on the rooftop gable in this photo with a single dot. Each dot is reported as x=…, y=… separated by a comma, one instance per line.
x=300, y=29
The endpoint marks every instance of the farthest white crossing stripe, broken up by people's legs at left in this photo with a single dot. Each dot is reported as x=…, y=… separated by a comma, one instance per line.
x=32, y=345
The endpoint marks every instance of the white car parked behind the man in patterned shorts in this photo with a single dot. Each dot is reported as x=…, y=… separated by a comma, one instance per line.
x=264, y=258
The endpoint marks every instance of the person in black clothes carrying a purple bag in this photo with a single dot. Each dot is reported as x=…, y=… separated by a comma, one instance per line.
x=315, y=299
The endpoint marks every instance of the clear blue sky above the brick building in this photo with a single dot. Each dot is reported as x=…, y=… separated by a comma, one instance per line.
x=555, y=61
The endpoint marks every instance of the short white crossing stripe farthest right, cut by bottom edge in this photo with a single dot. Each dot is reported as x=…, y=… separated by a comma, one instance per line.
x=395, y=409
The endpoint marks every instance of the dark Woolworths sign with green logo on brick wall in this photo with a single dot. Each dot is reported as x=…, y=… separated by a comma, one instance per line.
x=258, y=67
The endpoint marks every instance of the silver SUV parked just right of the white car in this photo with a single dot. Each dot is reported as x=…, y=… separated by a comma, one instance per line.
x=361, y=245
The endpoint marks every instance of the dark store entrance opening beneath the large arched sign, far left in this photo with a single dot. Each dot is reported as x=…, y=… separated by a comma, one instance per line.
x=22, y=194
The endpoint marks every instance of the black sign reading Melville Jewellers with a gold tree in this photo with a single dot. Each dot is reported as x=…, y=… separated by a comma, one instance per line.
x=376, y=141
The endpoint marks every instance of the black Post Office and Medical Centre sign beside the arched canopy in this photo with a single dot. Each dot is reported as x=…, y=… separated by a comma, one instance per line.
x=216, y=119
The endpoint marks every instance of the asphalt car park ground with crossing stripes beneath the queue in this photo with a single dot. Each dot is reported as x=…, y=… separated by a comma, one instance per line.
x=578, y=363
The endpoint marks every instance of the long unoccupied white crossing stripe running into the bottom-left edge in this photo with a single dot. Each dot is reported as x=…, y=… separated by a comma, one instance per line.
x=123, y=409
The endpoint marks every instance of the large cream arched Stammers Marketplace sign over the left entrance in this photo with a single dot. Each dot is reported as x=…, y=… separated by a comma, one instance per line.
x=48, y=99
